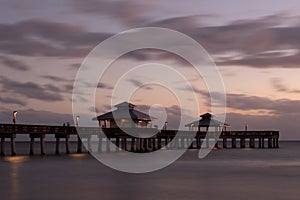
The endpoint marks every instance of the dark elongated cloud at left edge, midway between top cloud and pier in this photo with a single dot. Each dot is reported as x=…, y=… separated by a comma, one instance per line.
x=31, y=90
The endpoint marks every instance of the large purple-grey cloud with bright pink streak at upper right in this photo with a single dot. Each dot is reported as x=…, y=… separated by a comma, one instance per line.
x=258, y=43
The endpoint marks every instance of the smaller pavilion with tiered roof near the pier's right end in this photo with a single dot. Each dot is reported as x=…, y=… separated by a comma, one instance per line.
x=205, y=122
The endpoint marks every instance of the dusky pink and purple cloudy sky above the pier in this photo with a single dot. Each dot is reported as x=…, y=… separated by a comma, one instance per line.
x=255, y=45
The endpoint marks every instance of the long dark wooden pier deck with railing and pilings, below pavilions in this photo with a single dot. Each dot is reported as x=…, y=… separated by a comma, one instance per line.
x=141, y=139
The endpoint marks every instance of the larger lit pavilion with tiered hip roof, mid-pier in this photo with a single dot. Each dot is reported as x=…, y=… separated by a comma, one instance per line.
x=124, y=116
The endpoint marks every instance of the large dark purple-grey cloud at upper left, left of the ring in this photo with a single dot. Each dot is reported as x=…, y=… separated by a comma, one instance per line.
x=46, y=38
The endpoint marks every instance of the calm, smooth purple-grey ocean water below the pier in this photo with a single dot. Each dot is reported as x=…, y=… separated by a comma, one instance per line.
x=224, y=174
